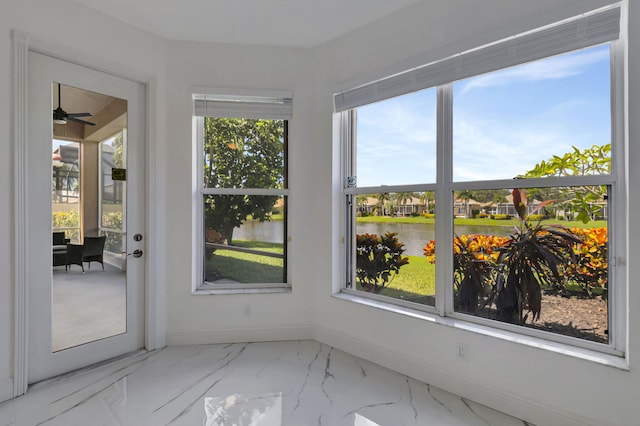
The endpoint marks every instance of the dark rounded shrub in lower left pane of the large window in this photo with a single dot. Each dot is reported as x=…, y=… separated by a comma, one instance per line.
x=378, y=260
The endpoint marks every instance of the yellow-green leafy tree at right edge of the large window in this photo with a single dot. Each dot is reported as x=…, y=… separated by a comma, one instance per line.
x=589, y=161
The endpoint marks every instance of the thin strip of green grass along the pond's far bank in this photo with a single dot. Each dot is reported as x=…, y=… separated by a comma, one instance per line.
x=479, y=221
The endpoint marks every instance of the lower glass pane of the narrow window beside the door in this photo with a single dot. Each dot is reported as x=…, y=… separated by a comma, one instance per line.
x=245, y=239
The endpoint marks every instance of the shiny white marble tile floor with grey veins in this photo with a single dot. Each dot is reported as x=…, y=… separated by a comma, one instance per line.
x=258, y=384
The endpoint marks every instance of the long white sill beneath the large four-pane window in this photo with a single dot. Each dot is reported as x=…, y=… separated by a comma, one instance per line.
x=608, y=360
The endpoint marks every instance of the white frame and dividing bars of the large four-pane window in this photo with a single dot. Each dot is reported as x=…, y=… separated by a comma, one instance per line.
x=444, y=227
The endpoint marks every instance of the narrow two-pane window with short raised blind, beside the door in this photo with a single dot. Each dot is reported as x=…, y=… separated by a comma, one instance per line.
x=242, y=146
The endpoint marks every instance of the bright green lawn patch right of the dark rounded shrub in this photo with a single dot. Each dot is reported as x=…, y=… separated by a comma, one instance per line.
x=415, y=282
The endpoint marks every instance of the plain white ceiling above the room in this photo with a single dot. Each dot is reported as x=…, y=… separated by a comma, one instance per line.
x=285, y=23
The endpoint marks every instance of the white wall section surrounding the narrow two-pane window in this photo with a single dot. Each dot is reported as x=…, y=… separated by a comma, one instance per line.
x=222, y=318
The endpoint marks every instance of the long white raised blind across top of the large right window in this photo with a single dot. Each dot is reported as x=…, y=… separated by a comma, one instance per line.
x=584, y=31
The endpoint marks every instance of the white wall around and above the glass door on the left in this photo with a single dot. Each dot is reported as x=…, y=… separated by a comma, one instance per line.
x=69, y=29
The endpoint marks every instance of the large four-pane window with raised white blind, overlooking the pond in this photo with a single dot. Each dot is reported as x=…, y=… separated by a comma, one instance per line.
x=515, y=169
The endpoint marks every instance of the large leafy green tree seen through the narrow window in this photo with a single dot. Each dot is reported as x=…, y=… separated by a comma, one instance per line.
x=241, y=153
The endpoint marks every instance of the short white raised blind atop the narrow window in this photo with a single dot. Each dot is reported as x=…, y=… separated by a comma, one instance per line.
x=253, y=107
